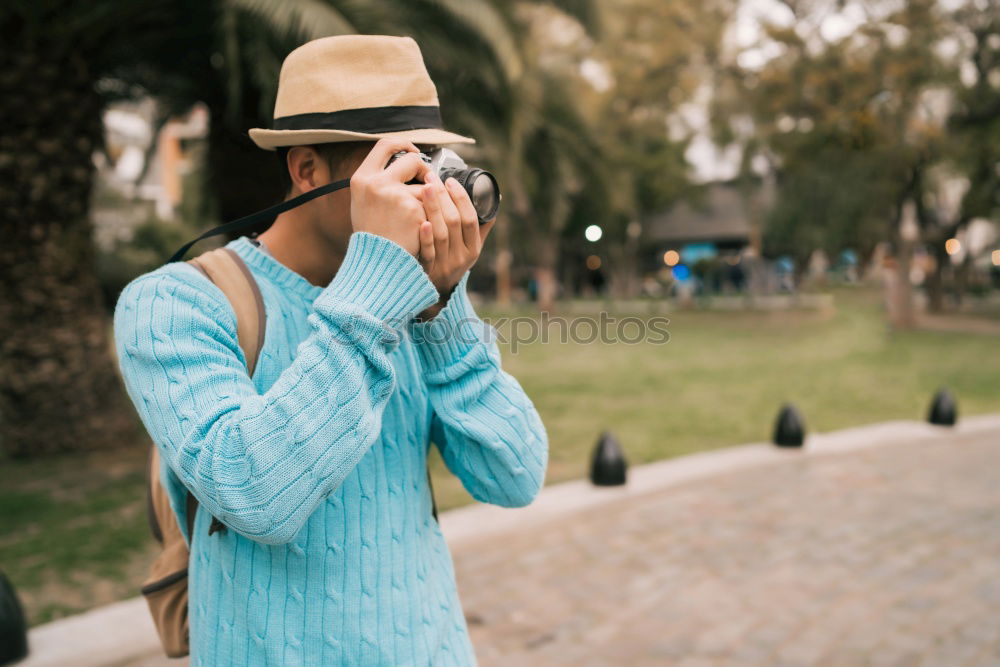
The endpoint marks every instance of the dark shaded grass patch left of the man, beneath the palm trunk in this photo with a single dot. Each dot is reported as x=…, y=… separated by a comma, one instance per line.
x=73, y=531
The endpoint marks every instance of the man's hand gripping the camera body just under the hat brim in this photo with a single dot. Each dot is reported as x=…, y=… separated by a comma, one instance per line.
x=381, y=202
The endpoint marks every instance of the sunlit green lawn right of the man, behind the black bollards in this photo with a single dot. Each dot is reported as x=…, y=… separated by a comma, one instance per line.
x=723, y=376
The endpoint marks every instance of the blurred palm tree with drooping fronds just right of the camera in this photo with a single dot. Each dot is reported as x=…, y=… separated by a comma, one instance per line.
x=538, y=141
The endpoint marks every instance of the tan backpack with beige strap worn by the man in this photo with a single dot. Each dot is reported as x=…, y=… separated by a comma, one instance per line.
x=166, y=587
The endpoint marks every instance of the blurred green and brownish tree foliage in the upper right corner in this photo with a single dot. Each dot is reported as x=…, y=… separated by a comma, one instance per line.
x=853, y=127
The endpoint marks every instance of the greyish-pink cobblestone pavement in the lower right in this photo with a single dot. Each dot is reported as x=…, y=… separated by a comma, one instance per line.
x=884, y=556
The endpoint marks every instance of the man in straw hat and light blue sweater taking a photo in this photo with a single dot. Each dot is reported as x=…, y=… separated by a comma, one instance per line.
x=317, y=464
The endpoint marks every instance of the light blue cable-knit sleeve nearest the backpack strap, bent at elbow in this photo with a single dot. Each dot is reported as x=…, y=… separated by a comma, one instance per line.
x=262, y=463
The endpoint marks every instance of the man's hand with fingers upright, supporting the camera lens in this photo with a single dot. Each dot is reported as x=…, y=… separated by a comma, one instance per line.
x=451, y=238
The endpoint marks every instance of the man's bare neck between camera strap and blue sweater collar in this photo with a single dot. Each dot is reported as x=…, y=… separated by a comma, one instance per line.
x=300, y=248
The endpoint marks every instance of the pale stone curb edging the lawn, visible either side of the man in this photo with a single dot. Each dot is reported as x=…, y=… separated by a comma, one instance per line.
x=123, y=631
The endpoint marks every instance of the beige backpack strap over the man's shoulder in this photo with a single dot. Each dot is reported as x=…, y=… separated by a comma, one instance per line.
x=224, y=267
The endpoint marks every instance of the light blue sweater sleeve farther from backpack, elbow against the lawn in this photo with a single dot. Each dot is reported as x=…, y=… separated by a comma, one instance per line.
x=487, y=429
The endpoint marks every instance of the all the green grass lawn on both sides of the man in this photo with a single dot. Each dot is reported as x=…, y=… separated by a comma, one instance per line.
x=74, y=535
